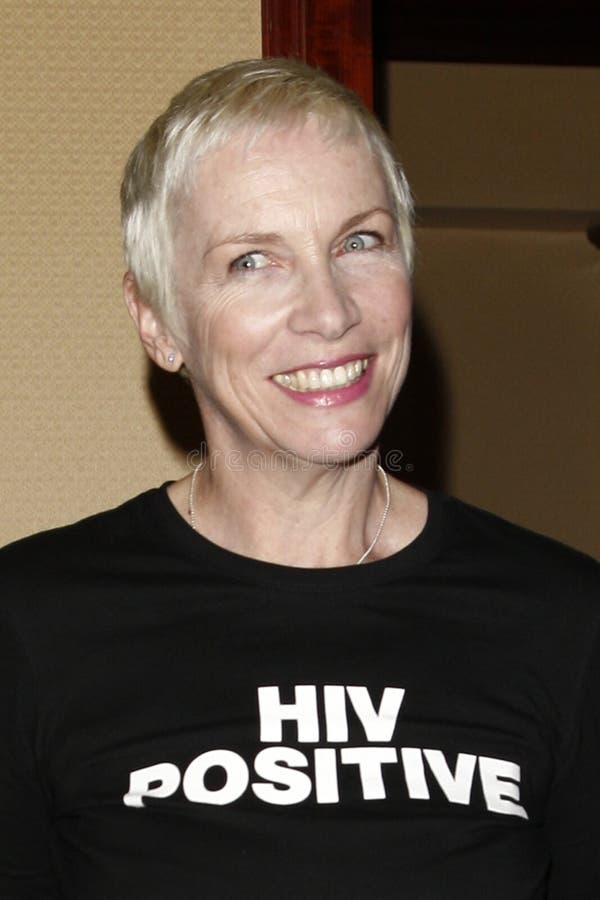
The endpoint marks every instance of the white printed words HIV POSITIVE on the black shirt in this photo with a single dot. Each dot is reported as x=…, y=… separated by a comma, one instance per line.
x=290, y=776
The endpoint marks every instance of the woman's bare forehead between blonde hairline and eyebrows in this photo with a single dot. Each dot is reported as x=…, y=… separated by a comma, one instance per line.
x=292, y=176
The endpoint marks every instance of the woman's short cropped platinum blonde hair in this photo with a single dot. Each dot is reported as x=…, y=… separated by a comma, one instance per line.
x=250, y=96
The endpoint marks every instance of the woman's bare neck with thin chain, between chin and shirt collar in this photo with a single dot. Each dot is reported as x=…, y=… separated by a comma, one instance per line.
x=314, y=516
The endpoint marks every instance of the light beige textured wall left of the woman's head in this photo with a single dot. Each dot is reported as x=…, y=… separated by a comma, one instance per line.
x=79, y=81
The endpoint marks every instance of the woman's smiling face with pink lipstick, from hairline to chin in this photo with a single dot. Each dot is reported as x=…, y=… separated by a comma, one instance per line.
x=294, y=296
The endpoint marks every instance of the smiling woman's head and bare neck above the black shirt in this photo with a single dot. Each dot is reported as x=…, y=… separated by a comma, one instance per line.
x=284, y=293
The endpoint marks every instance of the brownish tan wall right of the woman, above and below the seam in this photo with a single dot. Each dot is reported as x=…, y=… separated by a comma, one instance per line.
x=510, y=310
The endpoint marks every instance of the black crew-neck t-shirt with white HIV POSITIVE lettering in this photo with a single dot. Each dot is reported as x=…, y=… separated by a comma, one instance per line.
x=183, y=722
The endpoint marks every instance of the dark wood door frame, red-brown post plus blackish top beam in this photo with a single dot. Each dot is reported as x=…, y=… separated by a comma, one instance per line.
x=340, y=36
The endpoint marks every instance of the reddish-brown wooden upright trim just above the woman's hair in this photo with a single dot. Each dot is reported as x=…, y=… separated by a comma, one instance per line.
x=332, y=34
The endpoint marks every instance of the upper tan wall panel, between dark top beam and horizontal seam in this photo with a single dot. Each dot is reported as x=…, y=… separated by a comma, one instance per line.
x=500, y=136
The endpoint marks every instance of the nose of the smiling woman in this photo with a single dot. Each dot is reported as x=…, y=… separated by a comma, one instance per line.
x=324, y=305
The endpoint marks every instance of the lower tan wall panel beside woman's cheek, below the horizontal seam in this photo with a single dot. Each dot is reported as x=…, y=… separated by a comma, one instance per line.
x=515, y=322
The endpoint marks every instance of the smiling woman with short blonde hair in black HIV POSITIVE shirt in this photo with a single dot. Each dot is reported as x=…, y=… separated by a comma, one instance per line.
x=288, y=675
